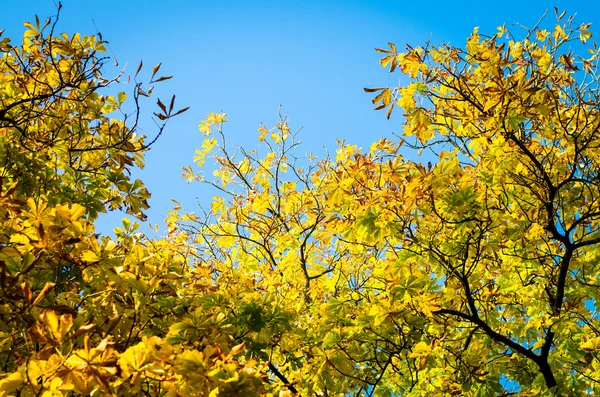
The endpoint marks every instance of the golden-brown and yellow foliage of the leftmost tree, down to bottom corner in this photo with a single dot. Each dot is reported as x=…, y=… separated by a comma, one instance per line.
x=79, y=314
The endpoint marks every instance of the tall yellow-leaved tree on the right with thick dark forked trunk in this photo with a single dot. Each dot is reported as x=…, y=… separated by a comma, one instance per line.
x=508, y=221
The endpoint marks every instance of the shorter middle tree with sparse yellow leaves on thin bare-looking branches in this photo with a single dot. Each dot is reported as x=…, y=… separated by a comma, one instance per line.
x=307, y=294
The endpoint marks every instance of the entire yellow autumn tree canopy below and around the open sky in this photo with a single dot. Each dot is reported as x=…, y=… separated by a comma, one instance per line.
x=472, y=270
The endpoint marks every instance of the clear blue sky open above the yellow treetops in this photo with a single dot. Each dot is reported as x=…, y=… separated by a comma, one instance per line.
x=248, y=57
